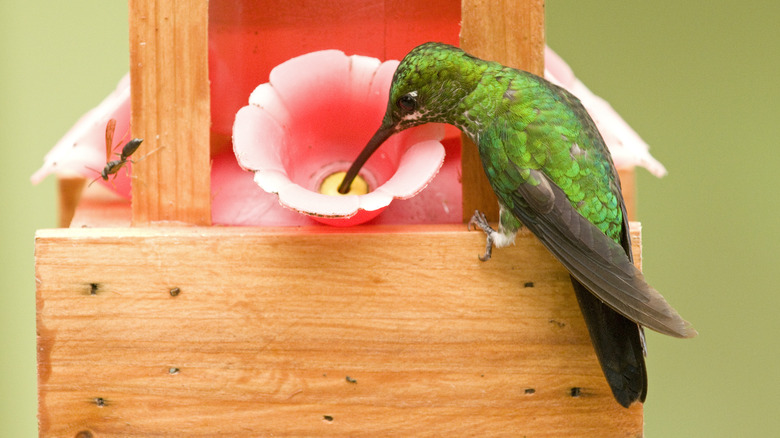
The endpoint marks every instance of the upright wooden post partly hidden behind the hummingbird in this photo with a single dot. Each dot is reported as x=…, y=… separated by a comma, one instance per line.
x=510, y=32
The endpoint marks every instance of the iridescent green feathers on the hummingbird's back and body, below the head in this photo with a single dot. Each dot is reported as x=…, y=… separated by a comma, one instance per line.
x=537, y=132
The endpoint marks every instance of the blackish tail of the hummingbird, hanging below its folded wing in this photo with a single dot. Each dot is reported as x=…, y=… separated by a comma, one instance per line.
x=619, y=347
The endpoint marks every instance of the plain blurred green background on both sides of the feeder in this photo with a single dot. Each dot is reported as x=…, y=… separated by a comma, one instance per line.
x=697, y=79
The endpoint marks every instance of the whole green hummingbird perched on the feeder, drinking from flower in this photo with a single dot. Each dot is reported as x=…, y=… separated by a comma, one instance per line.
x=552, y=173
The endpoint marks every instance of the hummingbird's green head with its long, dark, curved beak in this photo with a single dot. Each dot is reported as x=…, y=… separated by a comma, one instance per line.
x=428, y=86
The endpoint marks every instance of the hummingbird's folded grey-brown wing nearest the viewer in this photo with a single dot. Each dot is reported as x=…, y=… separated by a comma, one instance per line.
x=595, y=260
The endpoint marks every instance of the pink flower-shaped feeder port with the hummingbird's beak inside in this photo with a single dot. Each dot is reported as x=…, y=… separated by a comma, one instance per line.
x=313, y=118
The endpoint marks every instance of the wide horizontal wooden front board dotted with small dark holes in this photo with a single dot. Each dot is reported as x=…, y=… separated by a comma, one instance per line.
x=265, y=325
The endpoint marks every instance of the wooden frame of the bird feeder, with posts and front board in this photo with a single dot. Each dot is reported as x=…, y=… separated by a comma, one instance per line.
x=172, y=327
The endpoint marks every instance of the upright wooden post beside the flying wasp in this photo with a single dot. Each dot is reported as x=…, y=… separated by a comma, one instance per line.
x=170, y=111
